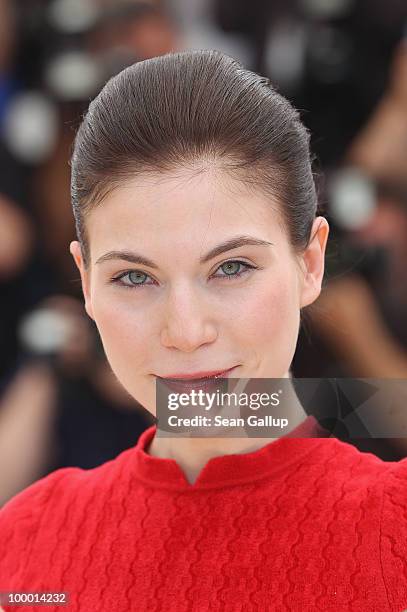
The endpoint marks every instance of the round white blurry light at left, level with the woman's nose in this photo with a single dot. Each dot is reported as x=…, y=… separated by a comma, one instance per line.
x=44, y=331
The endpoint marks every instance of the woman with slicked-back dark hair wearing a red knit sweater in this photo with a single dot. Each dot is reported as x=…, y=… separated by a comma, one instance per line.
x=198, y=246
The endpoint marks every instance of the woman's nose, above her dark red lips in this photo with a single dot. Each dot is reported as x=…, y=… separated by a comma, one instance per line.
x=188, y=324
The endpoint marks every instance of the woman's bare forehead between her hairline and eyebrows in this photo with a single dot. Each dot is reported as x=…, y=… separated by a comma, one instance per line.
x=180, y=206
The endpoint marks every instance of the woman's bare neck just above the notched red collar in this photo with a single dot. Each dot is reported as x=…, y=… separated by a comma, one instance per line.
x=192, y=454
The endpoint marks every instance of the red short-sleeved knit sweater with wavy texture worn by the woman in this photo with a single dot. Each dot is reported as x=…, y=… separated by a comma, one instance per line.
x=299, y=524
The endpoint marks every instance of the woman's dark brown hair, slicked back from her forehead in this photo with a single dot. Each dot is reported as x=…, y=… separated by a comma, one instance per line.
x=180, y=108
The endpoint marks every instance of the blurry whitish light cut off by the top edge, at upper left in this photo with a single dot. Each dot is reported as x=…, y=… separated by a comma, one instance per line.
x=73, y=16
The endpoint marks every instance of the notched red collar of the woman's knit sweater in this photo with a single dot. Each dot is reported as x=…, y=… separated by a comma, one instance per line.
x=228, y=470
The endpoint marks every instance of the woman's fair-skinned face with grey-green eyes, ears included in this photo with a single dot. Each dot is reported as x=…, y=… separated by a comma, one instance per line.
x=188, y=310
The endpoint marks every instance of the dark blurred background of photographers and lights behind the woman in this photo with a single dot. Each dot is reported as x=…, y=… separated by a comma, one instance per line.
x=343, y=63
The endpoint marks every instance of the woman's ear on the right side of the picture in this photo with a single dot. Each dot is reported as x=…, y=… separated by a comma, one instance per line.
x=313, y=262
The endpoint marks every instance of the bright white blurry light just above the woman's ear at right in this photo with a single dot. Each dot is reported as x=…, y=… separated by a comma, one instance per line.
x=352, y=198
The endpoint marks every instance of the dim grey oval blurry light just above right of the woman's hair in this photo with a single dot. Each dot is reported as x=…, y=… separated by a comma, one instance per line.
x=285, y=54
